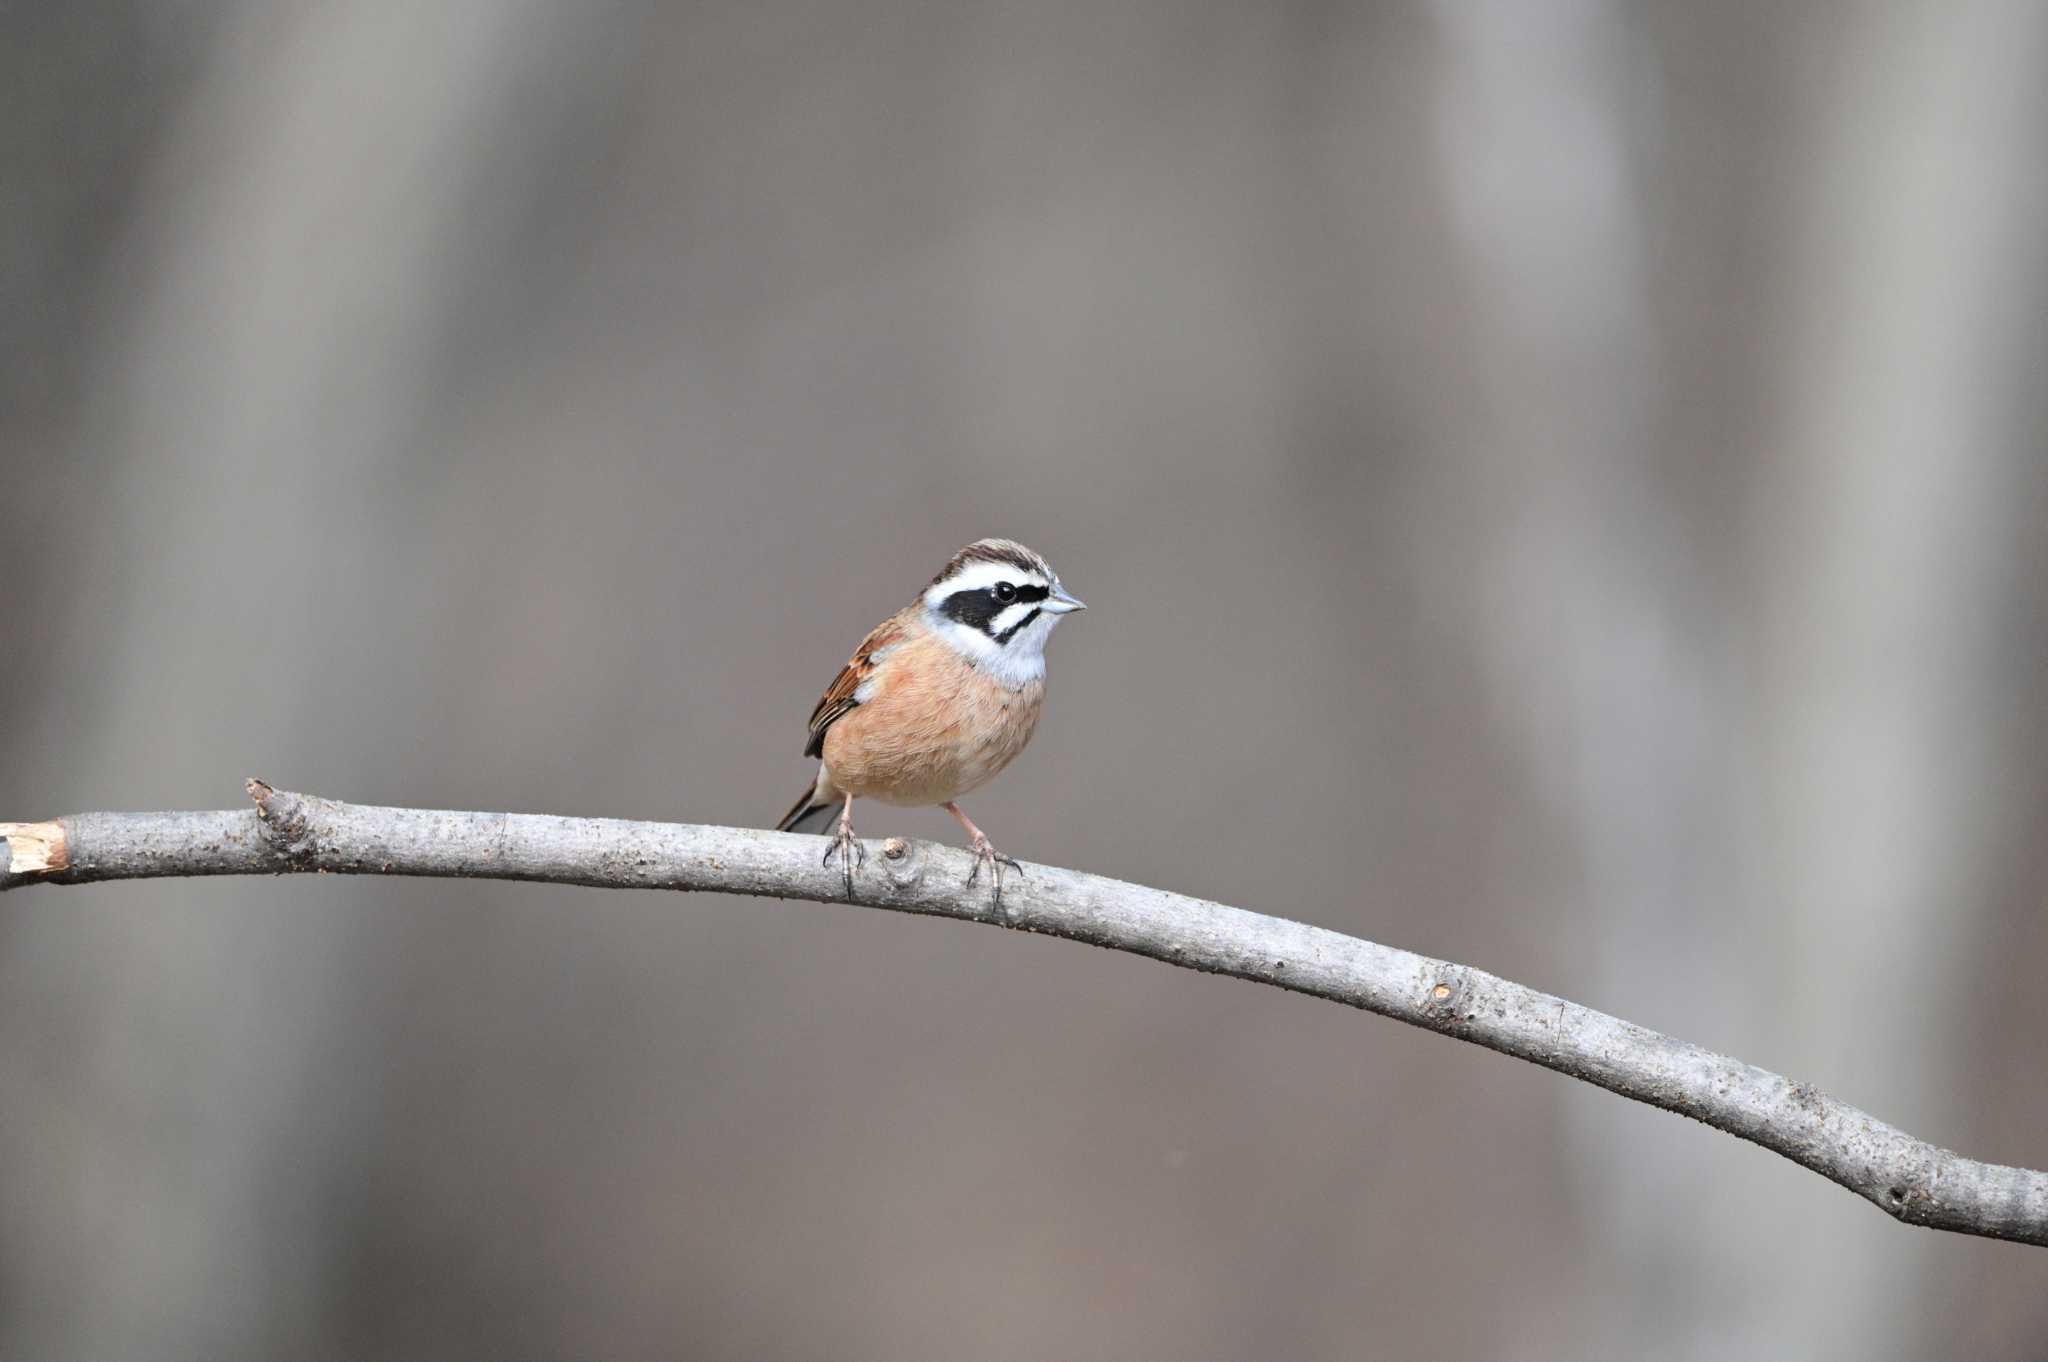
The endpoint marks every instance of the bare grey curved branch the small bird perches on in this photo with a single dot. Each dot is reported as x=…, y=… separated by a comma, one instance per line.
x=288, y=835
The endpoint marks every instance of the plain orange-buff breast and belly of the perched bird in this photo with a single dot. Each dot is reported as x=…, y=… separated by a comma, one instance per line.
x=933, y=728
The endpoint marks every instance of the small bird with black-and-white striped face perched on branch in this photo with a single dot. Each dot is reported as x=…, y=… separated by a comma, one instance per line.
x=939, y=699
